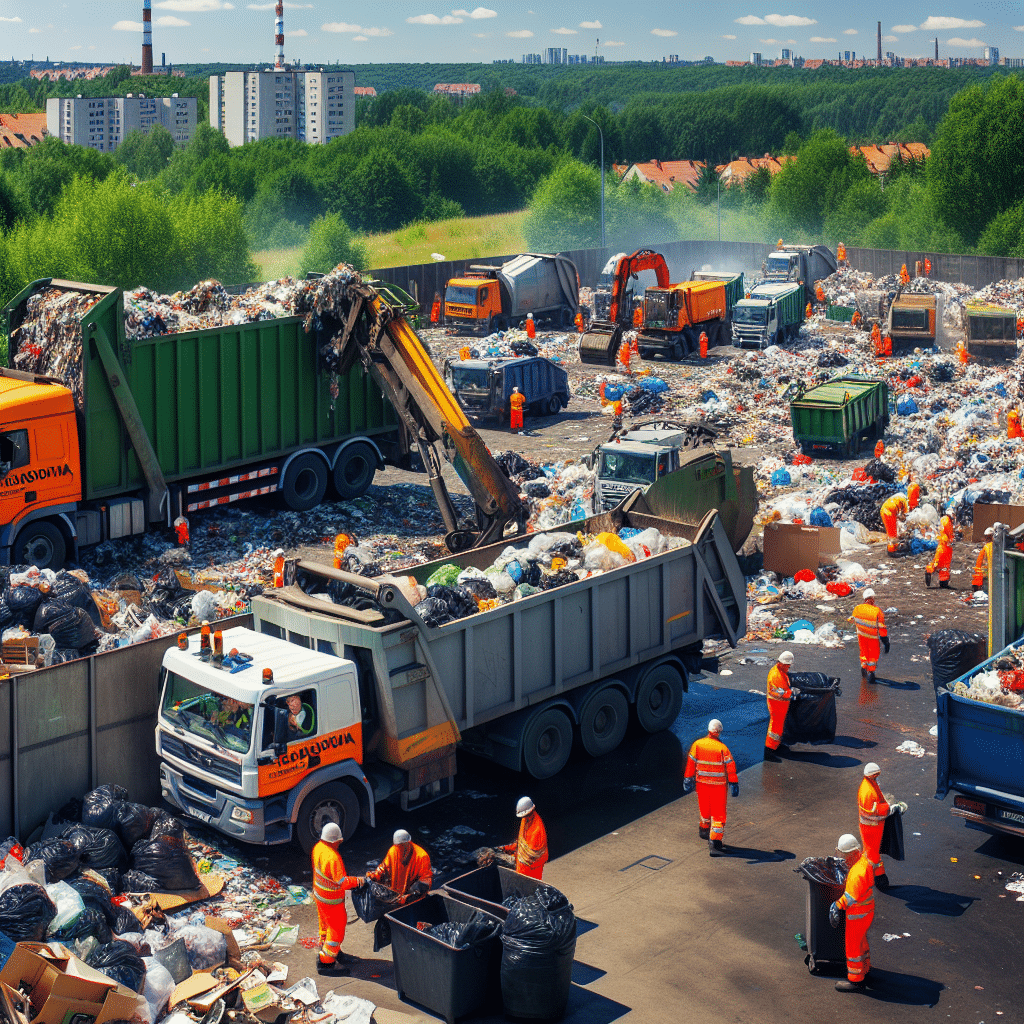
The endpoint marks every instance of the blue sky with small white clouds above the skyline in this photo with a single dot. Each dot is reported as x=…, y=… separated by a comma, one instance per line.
x=416, y=31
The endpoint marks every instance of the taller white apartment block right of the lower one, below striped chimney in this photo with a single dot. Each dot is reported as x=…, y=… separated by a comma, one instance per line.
x=310, y=106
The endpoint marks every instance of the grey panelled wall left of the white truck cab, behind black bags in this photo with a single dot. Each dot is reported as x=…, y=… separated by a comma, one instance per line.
x=70, y=729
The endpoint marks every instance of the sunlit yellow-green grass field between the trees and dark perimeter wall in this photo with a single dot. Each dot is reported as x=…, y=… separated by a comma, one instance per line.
x=466, y=238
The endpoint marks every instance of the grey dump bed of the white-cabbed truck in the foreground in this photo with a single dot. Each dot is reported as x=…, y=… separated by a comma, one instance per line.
x=484, y=671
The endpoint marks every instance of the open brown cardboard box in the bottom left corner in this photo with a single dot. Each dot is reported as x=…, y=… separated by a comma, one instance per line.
x=62, y=986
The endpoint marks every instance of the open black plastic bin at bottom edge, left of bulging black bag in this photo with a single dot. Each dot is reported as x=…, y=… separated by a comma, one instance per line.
x=447, y=982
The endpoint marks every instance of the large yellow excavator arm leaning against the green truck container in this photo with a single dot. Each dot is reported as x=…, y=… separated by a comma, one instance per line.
x=367, y=329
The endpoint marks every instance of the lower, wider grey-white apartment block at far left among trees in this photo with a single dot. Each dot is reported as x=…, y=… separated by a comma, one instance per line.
x=104, y=122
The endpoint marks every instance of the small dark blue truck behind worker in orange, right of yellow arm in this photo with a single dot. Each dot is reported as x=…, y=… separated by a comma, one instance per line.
x=483, y=387
